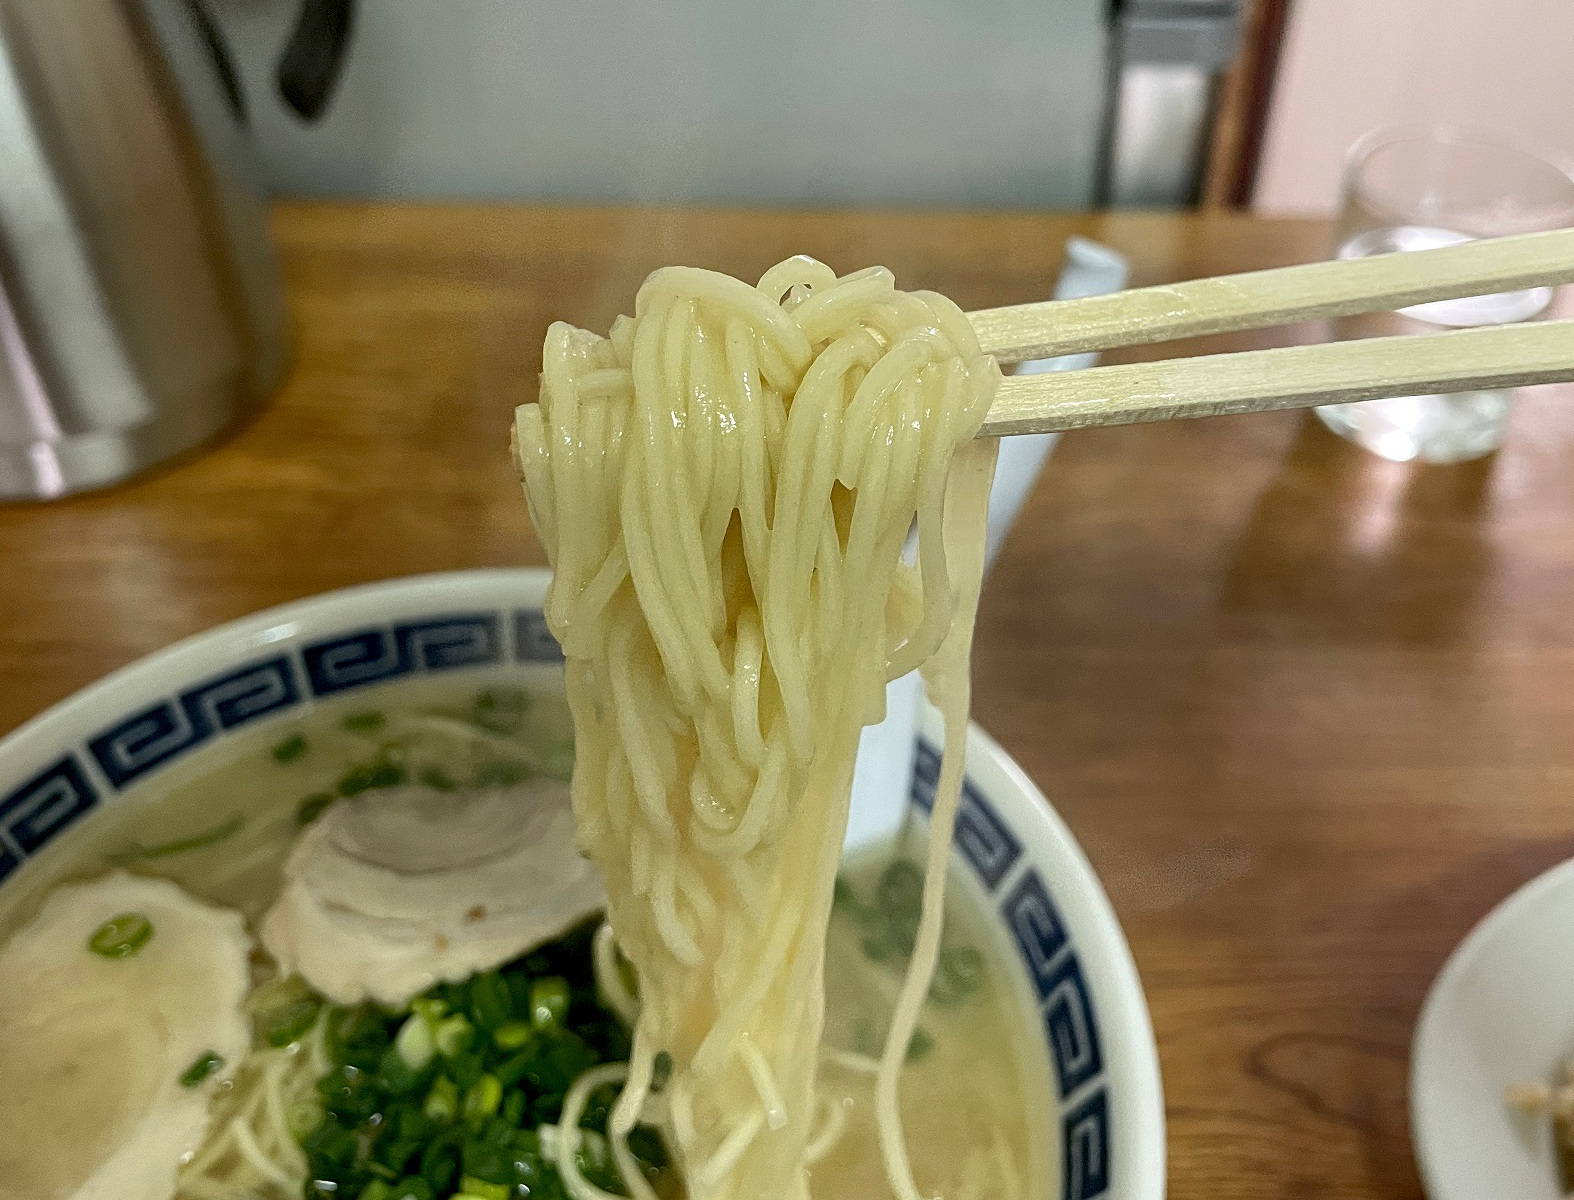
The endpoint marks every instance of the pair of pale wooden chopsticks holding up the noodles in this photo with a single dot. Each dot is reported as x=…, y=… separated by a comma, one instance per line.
x=1293, y=377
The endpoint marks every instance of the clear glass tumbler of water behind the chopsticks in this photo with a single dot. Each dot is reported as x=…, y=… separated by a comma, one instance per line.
x=1422, y=187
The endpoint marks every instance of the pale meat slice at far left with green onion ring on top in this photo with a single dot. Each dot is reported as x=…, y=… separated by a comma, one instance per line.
x=113, y=996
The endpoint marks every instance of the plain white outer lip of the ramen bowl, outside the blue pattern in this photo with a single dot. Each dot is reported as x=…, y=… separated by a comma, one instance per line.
x=1131, y=1051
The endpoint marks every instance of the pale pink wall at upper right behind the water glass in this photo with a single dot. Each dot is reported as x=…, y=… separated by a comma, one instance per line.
x=1354, y=65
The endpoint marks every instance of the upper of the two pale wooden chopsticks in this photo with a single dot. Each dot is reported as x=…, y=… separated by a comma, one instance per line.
x=1266, y=298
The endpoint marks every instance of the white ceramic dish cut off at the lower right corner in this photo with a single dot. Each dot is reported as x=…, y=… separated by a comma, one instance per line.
x=1499, y=1013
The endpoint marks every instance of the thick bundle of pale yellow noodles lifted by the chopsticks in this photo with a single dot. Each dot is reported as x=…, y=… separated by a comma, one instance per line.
x=725, y=487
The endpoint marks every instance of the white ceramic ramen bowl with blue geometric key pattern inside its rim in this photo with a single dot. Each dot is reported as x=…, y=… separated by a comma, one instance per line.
x=1054, y=924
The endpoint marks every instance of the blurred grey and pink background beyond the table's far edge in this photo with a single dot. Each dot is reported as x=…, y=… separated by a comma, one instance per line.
x=1046, y=105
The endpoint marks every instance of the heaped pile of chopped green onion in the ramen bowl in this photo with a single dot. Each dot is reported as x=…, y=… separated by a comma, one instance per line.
x=419, y=1102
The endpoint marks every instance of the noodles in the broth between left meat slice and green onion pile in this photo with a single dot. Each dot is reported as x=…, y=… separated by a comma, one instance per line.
x=251, y=1149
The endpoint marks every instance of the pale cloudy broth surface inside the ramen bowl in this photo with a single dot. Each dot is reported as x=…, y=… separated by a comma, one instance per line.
x=974, y=1102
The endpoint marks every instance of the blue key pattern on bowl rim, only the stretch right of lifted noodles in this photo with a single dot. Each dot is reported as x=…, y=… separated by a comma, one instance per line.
x=1047, y=952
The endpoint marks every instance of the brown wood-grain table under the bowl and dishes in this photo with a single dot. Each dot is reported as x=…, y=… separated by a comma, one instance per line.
x=1310, y=714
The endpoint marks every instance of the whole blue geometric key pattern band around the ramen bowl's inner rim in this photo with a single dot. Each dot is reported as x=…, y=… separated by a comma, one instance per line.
x=141, y=743
